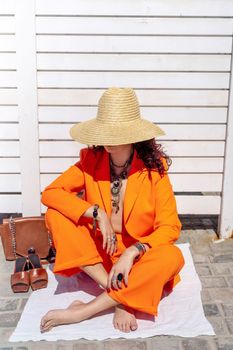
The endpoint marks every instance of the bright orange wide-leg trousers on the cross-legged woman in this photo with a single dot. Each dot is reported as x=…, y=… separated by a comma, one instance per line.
x=157, y=272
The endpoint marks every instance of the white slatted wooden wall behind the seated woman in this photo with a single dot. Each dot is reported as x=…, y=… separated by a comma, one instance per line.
x=58, y=57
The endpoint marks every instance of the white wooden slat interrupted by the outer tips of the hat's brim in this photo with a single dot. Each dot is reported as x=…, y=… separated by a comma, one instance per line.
x=179, y=132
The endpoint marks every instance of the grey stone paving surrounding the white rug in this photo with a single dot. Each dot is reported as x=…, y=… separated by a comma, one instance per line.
x=214, y=264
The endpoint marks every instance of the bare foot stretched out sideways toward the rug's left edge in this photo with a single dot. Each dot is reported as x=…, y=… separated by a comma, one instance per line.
x=74, y=313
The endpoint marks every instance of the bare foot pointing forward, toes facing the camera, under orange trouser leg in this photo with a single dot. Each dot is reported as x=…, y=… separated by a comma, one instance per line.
x=124, y=319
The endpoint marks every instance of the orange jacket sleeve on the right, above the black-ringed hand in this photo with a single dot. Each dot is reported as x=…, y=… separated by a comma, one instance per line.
x=167, y=225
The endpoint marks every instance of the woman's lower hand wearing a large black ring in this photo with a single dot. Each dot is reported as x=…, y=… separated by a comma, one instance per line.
x=123, y=266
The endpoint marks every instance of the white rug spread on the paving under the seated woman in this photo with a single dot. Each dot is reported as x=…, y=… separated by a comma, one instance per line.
x=180, y=313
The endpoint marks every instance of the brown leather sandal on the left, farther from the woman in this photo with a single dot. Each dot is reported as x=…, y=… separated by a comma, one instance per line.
x=20, y=278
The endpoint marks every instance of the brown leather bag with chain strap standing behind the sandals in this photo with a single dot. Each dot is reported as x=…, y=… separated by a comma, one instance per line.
x=23, y=233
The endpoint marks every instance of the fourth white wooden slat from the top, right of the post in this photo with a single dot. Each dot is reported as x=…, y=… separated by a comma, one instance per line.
x=129, y=62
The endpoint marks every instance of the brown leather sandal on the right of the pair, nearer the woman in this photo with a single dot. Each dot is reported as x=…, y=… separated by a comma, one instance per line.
x=37, y=274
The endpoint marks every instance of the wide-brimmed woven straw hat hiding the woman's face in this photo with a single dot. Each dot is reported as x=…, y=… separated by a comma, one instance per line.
x=118, y=121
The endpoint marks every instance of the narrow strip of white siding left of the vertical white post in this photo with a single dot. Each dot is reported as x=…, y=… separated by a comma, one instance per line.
x=10, y=173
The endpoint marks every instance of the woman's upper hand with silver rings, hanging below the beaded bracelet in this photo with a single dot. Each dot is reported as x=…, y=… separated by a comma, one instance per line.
x=109, y=236
